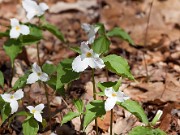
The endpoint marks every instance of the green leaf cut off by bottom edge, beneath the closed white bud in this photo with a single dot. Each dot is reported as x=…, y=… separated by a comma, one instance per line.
x=139, y=130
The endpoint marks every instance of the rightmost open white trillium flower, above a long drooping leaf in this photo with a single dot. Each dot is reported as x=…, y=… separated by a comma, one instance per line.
x=113, y=97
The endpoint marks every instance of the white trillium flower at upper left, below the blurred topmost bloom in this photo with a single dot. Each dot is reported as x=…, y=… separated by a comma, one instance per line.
x=17, y=29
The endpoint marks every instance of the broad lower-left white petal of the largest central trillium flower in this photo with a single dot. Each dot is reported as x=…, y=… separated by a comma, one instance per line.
x=79, y=65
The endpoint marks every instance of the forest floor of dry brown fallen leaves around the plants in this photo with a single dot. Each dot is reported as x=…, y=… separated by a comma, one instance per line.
x=154, y=61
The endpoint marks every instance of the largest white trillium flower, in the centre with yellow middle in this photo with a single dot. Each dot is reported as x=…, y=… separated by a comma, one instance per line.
x=87, y=58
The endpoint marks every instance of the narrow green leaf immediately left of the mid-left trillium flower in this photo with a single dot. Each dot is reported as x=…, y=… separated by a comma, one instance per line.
x=21, y=82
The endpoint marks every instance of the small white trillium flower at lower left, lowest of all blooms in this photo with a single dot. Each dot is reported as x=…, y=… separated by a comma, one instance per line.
x=36, y=111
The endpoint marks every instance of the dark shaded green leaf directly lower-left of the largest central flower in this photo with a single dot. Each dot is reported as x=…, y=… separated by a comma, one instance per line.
x=65, y=74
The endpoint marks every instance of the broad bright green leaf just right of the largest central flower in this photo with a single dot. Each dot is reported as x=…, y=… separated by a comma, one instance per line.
x=118, y=65
